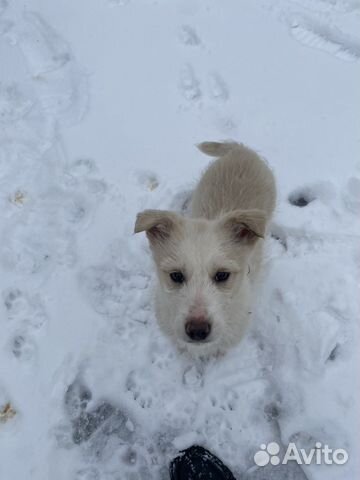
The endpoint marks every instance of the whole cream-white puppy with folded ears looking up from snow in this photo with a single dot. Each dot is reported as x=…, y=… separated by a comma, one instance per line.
x=207, y=265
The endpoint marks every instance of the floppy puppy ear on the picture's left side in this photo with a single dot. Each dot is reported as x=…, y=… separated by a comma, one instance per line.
x=158, y=224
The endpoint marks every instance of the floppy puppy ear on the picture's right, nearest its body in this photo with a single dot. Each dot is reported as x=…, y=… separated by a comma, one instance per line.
x=244, y=226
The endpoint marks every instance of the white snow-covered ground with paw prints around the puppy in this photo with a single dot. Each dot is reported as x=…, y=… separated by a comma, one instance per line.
x=101, y=103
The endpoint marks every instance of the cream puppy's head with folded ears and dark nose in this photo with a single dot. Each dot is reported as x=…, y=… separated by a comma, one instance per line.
x=203, y=293
